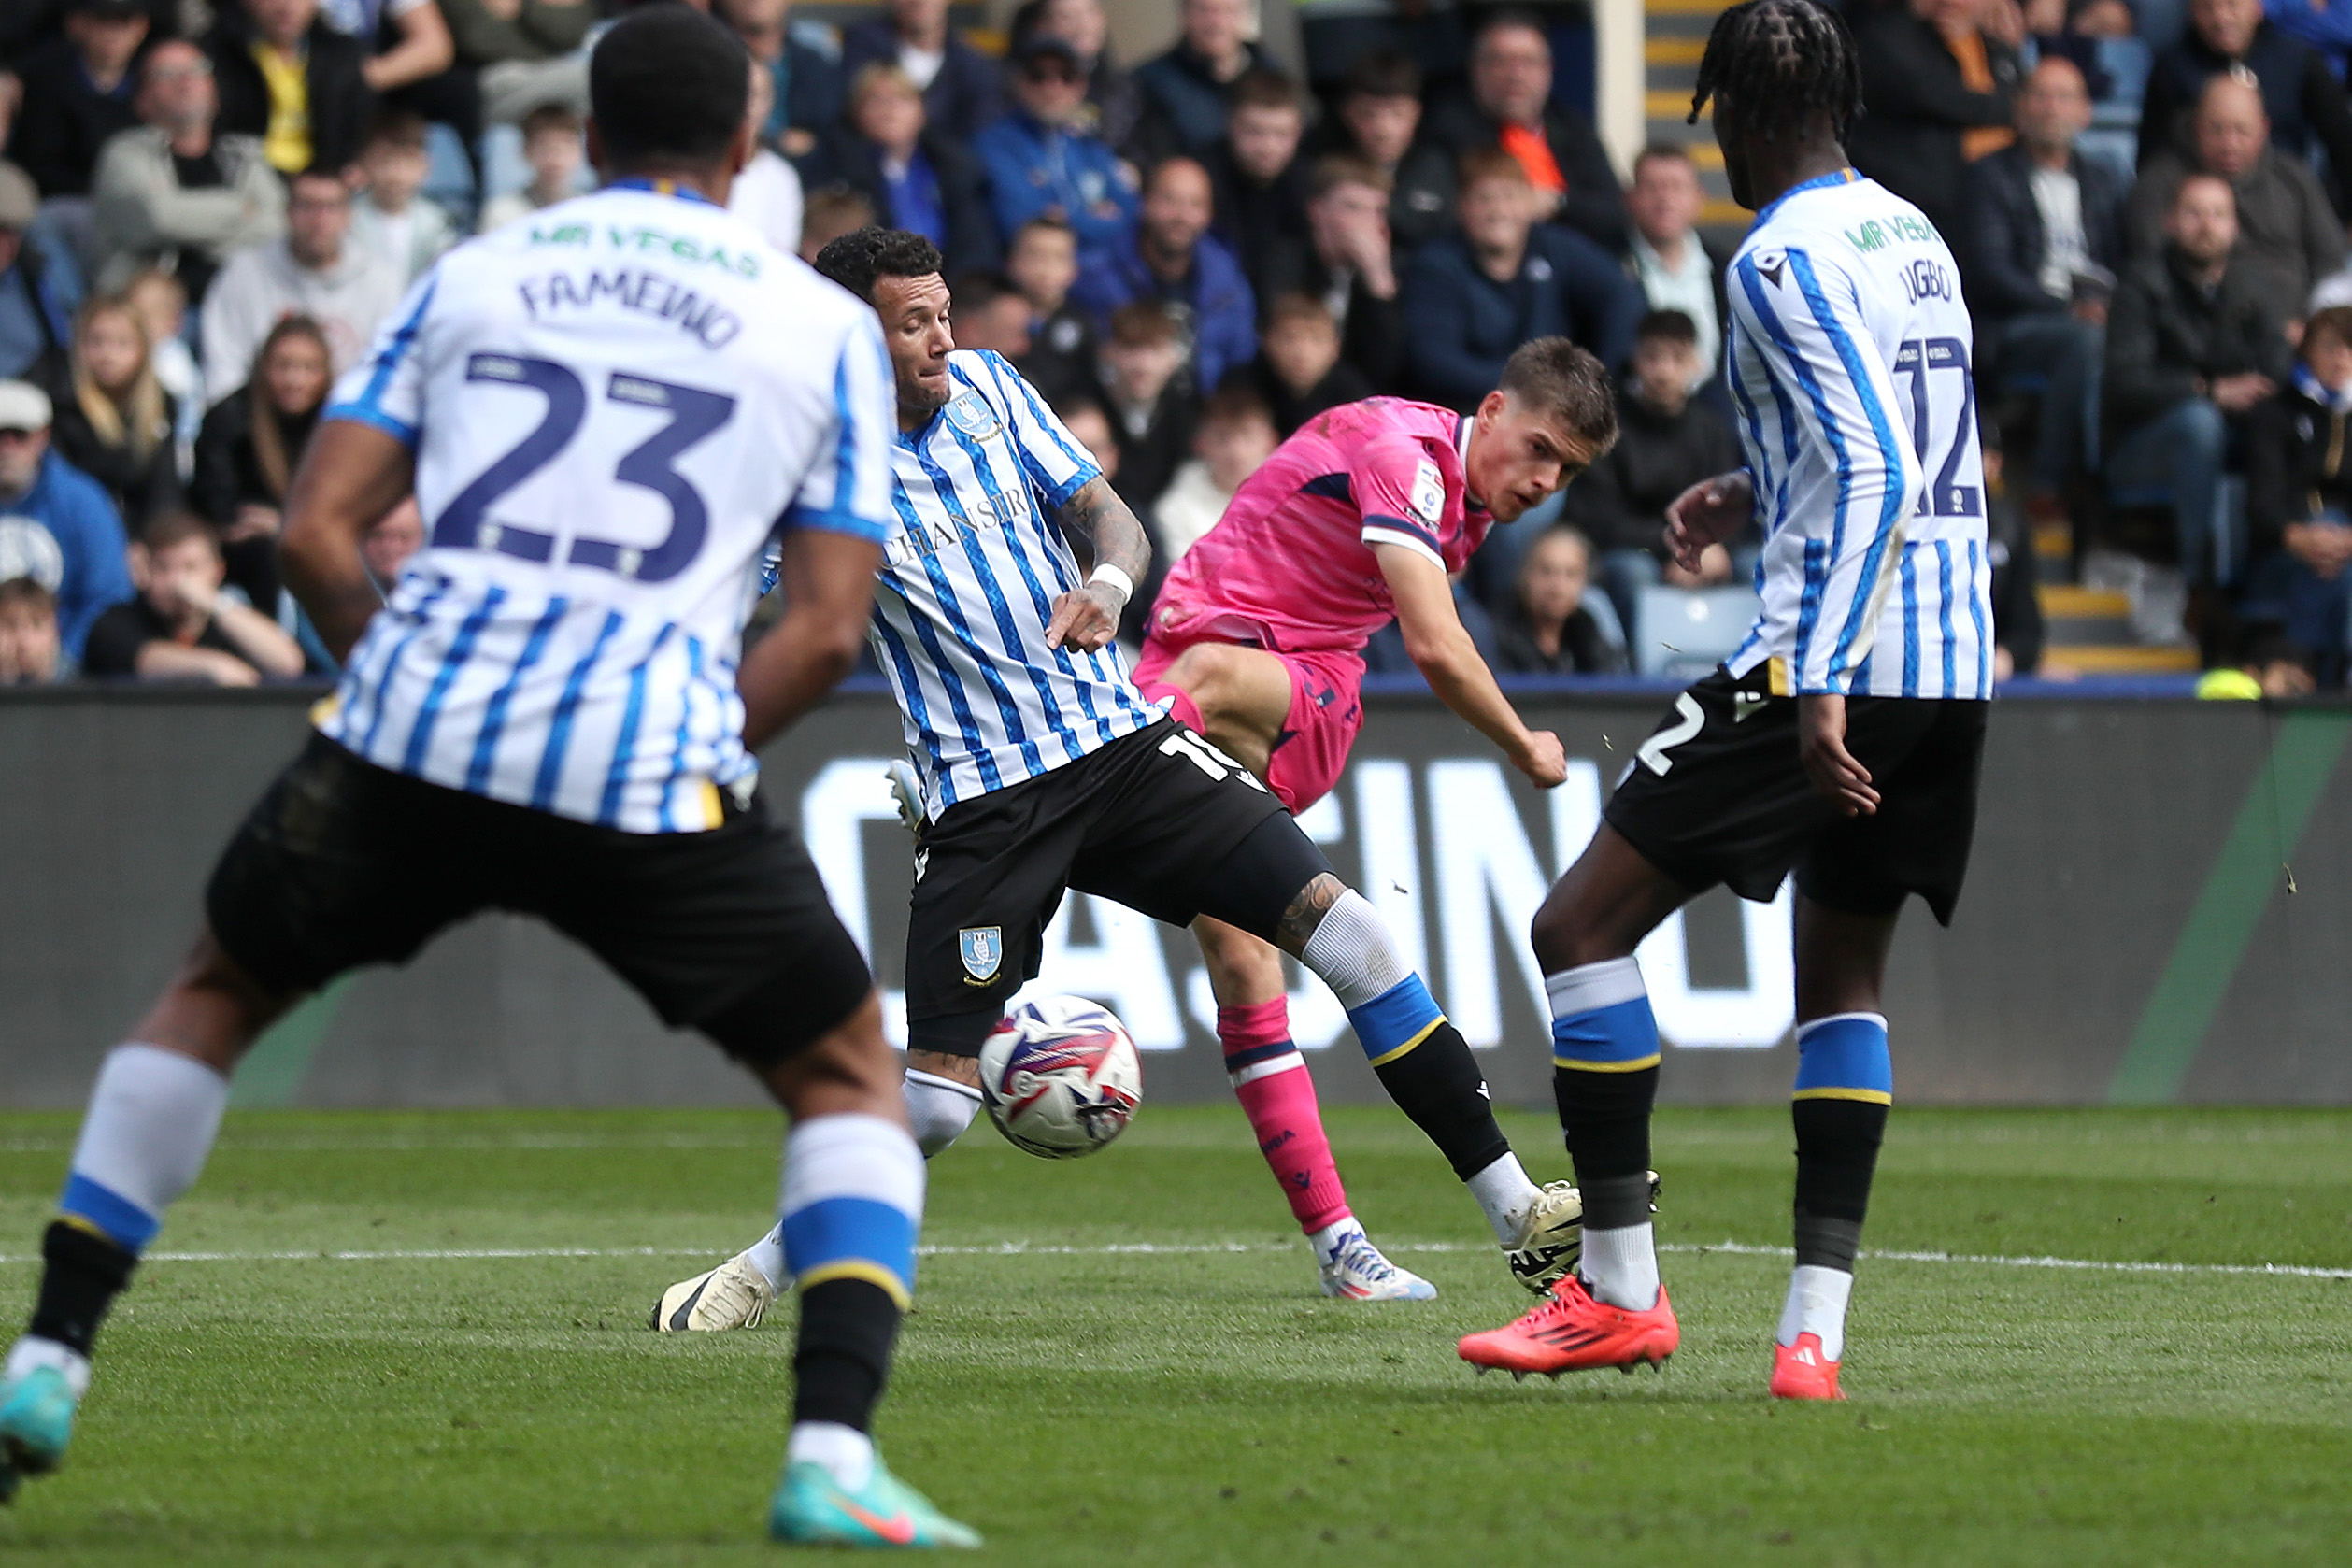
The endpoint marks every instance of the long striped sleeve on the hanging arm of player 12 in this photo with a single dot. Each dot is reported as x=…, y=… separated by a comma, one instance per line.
x=1803, y=316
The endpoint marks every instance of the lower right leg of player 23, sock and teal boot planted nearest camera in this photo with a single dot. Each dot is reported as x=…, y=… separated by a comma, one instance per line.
x=850, y=1217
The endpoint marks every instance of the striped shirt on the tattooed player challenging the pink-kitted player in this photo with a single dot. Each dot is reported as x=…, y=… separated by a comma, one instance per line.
x=970, y=575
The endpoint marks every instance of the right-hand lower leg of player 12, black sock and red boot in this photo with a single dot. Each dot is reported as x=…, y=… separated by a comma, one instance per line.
x=1845, y=1090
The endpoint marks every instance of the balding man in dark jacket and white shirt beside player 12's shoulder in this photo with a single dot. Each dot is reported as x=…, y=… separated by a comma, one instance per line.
x=2043, y=243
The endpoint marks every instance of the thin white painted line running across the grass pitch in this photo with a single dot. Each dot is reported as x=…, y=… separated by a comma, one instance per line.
x=1205, y=1249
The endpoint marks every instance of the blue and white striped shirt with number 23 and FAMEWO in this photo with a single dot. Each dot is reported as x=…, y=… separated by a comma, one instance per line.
x=615, y=408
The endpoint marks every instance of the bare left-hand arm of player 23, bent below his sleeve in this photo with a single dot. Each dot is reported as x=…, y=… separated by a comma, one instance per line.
x=347, y=483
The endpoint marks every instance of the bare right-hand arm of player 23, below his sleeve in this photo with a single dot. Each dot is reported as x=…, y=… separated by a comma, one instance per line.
x=829, y=591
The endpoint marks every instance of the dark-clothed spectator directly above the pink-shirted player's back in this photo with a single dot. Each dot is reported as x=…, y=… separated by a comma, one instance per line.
x=1347, y=262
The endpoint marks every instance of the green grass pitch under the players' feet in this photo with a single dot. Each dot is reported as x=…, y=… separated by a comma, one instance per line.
x=1198, y=1405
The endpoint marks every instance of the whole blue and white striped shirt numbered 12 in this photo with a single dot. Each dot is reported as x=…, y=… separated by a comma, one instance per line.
x=1850, y=359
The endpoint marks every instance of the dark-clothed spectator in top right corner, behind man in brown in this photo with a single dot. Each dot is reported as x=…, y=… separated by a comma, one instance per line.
x=2301, y=98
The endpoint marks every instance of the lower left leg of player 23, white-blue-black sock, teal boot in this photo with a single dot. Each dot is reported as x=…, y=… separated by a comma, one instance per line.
x=152, y=1120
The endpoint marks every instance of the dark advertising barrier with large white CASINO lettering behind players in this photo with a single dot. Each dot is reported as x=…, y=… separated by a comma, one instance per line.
x=2158, y=913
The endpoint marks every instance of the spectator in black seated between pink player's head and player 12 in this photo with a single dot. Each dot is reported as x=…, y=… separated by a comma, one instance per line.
x=1666, y=443
